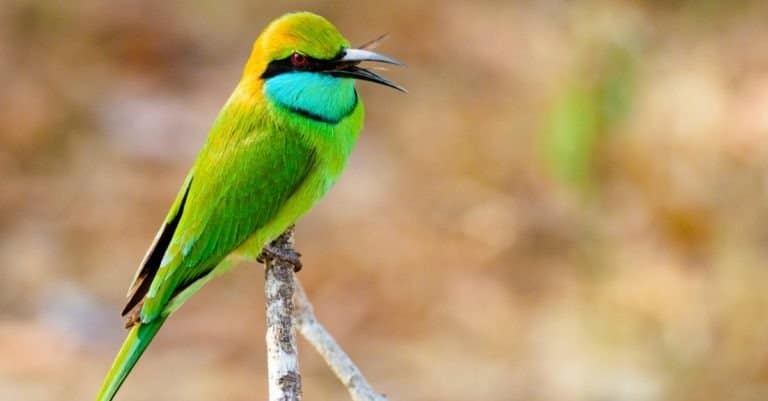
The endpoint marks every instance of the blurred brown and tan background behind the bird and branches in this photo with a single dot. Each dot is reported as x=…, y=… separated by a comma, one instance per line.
x=570, y=203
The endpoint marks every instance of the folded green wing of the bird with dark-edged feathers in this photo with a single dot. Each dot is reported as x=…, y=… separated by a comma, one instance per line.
x=238, y=184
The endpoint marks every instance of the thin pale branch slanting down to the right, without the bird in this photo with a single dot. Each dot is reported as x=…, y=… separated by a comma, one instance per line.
x=329, y=349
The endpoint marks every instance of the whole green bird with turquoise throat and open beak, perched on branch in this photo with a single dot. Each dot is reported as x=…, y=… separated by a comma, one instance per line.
x=278, y=144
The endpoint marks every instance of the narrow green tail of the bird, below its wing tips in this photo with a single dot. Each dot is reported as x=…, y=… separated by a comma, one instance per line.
x=134, y=345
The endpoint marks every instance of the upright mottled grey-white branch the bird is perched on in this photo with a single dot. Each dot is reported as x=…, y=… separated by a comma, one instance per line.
x=282, y=353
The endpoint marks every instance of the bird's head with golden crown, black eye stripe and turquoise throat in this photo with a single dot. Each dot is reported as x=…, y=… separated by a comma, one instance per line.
x=302, y=62
